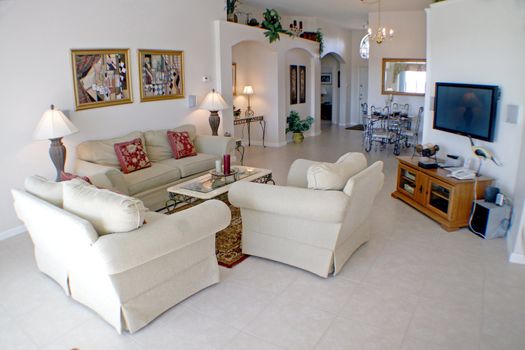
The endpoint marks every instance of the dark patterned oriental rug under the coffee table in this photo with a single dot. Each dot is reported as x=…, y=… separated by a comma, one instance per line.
x=228, y=241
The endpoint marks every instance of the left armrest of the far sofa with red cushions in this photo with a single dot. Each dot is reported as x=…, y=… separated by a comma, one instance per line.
x=102, y=176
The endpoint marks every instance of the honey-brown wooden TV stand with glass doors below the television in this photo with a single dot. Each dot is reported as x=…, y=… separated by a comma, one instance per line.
x=444, y=199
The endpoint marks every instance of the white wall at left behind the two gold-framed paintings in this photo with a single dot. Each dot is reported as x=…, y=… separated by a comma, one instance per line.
x=38, y=36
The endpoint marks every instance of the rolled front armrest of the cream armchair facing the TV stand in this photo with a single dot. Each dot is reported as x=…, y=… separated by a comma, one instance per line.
x=324, y=206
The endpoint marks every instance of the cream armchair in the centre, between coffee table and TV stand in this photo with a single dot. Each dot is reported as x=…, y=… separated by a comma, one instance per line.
x=315, y=230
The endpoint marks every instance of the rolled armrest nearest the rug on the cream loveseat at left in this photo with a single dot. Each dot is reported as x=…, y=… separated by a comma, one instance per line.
x=161, y=235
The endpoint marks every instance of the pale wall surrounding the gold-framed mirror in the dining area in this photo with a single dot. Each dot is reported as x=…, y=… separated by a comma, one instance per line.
x=409, y=42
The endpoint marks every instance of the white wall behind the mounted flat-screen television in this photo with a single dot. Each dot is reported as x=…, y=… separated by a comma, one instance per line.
x=463, y=48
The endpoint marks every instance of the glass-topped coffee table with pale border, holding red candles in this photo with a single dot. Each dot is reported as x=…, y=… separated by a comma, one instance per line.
x=214, y=185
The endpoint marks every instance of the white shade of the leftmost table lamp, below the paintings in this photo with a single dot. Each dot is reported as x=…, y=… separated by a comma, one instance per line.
x=54, y=124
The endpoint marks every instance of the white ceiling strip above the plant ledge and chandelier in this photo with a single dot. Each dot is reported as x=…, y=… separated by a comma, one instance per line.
x=349, y=13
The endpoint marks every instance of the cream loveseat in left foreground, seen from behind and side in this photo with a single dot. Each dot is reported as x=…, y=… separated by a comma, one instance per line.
x=128, y=278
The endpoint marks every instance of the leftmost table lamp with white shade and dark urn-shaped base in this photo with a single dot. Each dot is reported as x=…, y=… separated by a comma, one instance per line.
x=53, y=126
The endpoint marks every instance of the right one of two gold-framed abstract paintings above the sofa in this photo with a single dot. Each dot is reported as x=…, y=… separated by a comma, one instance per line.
x=161, y=75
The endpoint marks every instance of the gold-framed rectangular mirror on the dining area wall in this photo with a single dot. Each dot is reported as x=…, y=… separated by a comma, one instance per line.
x=404, y=76
